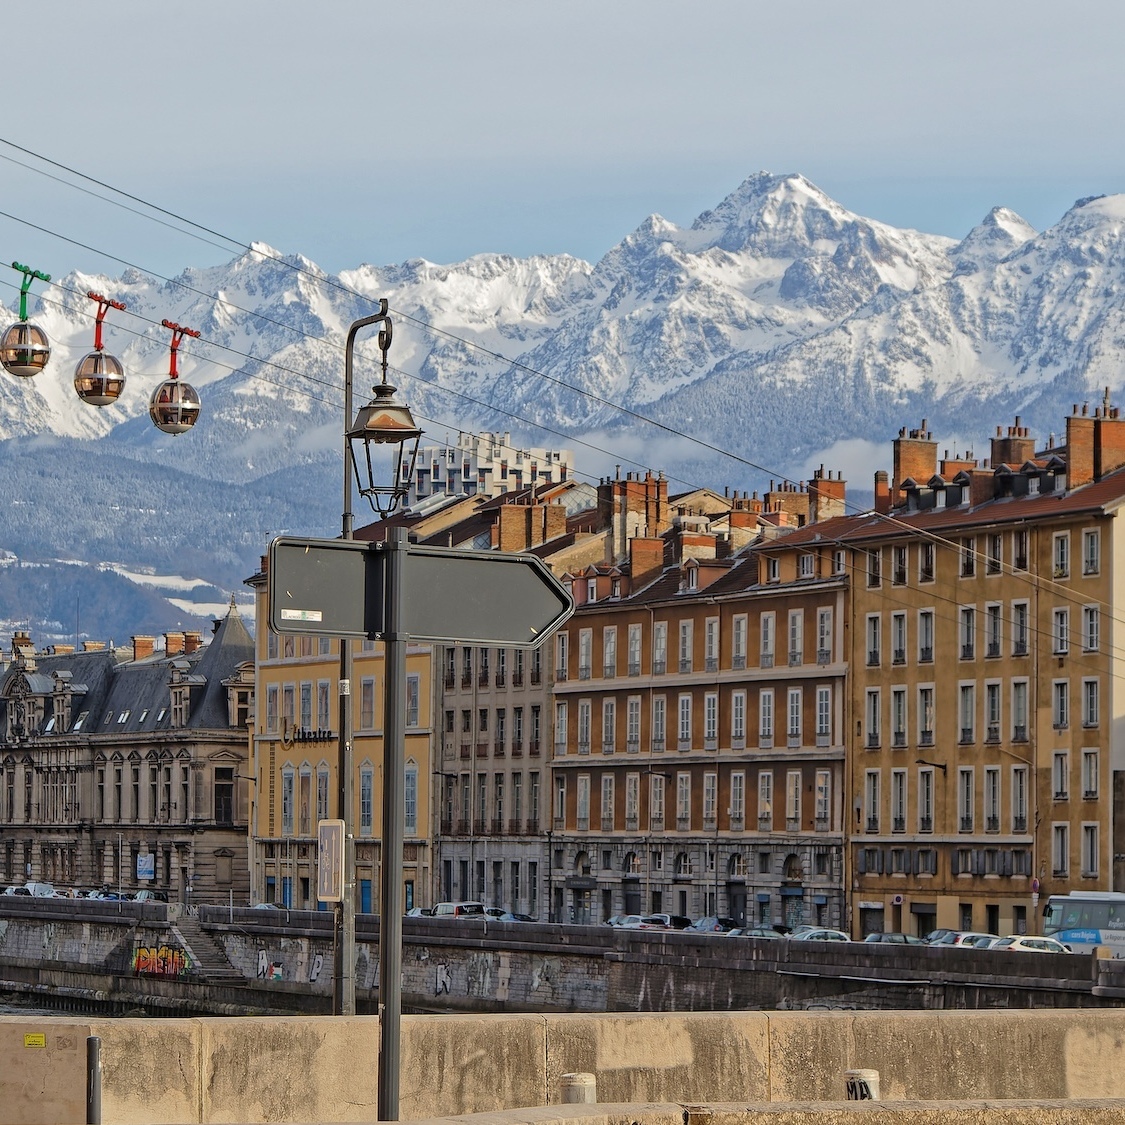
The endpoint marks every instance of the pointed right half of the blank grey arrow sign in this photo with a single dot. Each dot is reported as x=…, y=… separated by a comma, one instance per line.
x=483, y=598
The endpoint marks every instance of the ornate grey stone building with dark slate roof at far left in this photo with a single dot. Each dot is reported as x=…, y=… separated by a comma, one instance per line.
x=128, y=767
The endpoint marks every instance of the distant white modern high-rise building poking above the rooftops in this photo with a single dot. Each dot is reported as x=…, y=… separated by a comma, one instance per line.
x=485, y=465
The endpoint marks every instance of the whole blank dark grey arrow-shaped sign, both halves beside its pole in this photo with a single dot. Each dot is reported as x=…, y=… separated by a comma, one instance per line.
x=336, y=588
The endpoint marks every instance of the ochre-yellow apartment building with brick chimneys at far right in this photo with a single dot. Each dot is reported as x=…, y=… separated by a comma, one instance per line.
x=984, y=775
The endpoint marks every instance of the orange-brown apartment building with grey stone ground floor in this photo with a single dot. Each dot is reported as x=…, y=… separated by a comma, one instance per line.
x=700, y=724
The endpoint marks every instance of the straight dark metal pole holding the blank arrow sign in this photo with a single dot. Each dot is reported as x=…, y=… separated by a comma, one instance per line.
x=394, y=793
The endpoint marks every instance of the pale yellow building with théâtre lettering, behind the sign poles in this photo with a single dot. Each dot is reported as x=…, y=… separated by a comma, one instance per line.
x=296, y=751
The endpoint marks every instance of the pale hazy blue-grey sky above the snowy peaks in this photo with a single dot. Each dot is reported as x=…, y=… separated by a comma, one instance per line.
x=358, y=132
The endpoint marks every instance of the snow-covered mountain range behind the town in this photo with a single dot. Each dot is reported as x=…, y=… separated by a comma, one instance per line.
x=778, y=331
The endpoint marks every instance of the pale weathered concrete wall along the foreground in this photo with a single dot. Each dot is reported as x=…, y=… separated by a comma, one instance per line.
x=323, y=1069
